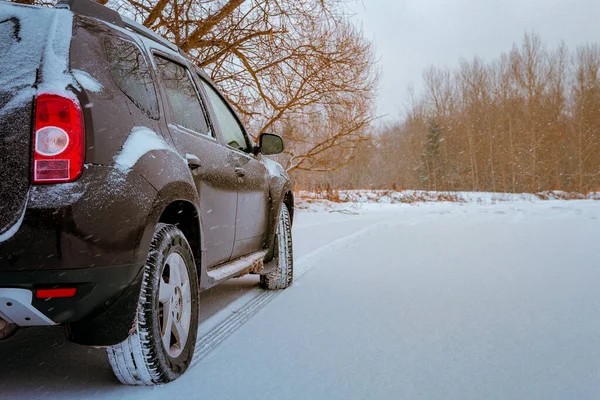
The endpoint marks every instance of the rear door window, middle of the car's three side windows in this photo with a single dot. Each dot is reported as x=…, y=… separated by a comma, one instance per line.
x=182, y=94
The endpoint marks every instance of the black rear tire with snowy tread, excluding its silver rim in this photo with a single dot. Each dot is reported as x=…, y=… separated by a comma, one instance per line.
x=143, y=359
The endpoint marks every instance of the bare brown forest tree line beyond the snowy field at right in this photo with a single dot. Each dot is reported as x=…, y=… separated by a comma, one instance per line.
x=528, y=121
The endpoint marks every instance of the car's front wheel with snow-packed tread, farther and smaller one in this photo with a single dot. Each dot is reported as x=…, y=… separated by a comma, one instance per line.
x=282, y=274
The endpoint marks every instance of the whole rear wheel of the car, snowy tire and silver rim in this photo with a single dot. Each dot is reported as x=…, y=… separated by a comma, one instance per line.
x=162, y=346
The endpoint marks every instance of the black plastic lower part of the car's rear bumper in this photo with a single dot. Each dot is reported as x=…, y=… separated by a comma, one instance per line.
x=102, y=313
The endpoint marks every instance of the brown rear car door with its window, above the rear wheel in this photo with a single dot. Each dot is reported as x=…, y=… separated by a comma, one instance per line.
x=195, y=139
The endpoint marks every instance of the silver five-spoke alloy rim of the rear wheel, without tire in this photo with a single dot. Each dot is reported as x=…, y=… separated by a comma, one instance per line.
x=175, y=305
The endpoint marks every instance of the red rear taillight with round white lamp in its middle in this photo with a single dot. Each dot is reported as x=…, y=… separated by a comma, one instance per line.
x=58, y=140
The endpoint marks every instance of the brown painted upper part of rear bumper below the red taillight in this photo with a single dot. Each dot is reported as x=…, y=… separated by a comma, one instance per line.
x=88, y=223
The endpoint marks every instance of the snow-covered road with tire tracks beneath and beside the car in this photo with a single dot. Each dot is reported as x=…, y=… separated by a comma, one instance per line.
x=430, y=301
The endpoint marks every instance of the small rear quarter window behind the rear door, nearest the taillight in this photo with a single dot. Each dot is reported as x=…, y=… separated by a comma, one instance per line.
x=130, y=72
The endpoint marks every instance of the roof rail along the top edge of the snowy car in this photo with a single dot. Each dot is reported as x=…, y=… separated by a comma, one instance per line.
x=92, y=9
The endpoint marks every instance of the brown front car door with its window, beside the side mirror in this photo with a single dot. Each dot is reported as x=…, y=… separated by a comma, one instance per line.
x=253, y=187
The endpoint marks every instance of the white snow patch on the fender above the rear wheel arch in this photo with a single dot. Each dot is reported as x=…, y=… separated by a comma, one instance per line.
x=140, y=141
